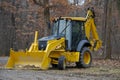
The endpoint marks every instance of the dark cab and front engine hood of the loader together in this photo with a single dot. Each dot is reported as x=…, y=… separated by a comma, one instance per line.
x=72, y=30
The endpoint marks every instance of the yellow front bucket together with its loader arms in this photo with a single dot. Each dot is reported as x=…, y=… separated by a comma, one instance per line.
x=34, y=58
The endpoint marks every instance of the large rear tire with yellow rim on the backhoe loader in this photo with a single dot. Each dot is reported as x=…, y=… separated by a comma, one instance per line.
x=85, y=58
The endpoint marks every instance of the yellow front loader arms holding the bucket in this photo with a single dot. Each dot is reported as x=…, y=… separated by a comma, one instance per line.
x=51, y=46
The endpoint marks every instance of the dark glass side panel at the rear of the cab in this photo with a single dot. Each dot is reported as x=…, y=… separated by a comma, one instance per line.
x=78, y=33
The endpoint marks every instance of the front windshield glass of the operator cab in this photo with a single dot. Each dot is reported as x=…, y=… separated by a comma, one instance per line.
x=59, y=27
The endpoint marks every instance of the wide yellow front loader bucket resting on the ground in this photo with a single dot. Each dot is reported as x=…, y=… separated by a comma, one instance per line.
x=27, y=60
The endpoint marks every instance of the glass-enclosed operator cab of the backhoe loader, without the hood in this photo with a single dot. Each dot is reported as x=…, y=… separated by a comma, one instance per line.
x=72, y=30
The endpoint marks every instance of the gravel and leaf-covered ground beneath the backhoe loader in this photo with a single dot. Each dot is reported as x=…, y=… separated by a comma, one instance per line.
x=100, y=70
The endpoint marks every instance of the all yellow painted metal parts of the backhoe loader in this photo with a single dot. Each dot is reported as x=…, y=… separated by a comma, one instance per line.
x=41, y=59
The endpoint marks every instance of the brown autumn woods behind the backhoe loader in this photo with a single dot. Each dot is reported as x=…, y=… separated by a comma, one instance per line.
x=20, y=18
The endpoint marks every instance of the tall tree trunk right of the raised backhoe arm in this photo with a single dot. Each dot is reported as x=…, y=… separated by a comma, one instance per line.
x=108, y=29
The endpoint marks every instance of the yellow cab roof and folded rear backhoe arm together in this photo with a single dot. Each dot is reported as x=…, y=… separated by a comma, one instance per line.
x=89, y=27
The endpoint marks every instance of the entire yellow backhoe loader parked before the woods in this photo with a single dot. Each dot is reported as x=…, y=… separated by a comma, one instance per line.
x=70, y=42
